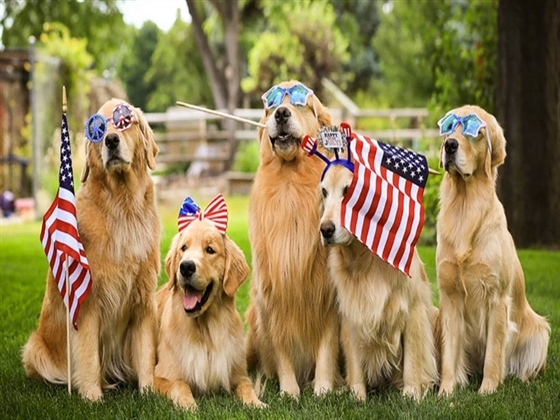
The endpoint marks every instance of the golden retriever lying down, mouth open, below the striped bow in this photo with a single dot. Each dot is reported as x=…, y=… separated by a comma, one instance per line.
x=201, y=343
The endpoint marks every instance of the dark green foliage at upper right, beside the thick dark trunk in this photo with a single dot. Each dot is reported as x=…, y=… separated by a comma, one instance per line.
x=443, y=55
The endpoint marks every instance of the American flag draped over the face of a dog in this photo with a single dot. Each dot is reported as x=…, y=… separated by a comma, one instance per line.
x=383, y=206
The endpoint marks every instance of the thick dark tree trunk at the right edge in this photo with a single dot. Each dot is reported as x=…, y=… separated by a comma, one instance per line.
x=528, y=108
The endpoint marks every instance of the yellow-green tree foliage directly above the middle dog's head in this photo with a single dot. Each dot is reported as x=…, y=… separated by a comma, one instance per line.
x=302, y=41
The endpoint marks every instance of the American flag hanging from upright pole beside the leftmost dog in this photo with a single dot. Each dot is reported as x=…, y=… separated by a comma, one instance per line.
x=60, y=238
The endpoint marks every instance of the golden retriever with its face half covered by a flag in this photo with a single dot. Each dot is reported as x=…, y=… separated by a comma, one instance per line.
x=387, y=318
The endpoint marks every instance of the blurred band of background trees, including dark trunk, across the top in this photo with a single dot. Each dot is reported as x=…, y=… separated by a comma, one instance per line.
x=500, y=54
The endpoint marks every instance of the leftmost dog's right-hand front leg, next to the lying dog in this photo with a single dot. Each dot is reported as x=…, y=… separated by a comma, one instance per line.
x=143, y=345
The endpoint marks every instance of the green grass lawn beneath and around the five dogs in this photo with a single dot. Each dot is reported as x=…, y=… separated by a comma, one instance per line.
x=22, y=281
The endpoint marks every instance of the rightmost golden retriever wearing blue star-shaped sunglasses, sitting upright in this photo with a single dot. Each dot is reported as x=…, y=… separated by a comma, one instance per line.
x=487, y=325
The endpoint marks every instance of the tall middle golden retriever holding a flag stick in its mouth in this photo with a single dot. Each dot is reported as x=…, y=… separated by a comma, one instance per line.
x=293, y=327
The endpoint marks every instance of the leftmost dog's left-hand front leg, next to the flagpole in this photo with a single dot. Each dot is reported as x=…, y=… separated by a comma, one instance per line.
x=86, y=361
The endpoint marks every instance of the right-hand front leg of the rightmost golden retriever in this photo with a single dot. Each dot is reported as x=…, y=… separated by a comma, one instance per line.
x=494, y=359
